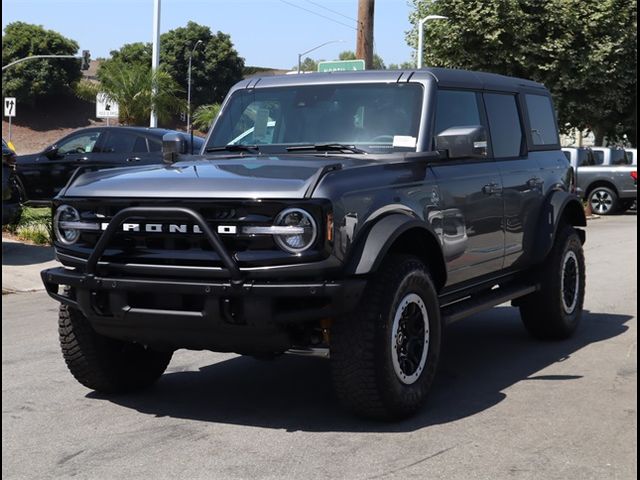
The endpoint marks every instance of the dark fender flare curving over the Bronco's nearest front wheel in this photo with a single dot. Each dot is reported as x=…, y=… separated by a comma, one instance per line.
x=374, y=246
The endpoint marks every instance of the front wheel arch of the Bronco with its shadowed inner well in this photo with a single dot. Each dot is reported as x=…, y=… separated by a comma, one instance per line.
x=399, y=233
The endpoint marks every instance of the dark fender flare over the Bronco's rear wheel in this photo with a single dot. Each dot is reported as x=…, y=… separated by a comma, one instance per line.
x=559, y=206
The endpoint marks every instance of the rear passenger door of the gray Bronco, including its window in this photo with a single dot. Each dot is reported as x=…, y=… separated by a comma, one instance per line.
x=522, y=179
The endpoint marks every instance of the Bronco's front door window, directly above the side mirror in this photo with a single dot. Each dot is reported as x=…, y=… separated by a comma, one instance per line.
x=456, y=109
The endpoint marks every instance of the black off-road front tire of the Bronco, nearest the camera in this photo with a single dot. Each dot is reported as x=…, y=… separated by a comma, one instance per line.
x=364, y=376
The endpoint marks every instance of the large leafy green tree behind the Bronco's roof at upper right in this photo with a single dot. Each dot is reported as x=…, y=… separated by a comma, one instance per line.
x=584, y=51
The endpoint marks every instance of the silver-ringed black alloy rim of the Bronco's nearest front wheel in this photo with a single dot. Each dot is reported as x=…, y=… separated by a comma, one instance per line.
x=410, y=339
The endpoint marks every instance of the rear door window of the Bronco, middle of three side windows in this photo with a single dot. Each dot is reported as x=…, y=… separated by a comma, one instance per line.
x=504, y=123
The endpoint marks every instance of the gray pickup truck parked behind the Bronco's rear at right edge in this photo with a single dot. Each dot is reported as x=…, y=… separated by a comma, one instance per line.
x=607, y=188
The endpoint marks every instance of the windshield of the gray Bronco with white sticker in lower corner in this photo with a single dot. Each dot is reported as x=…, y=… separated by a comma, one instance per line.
x=372, y=117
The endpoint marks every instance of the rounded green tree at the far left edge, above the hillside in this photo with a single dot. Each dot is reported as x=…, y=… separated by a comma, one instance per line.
x=41, y=78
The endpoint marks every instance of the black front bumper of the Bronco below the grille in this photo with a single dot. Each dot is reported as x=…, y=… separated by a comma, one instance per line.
x=219, y=315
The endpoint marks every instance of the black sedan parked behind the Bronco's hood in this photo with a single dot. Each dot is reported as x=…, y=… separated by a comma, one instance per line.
x=42, y=175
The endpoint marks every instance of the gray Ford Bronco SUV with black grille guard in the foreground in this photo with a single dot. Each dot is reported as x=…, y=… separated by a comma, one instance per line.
x=348, y=215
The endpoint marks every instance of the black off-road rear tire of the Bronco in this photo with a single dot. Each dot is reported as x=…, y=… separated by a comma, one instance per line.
x=554, y=313
